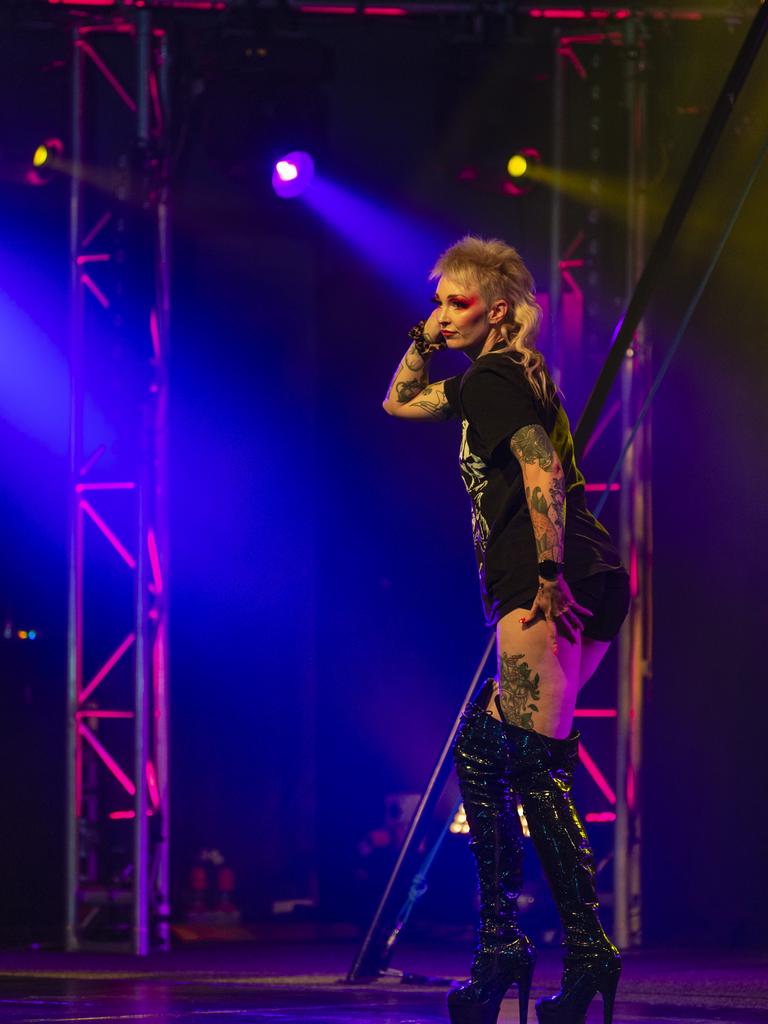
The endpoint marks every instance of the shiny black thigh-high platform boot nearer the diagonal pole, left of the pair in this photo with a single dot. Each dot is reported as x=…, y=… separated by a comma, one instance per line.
x=504, y=955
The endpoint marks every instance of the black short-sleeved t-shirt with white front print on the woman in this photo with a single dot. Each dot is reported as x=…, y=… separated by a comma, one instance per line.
x=494, y=401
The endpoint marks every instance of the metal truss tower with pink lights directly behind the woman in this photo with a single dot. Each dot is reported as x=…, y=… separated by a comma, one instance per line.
x=575, y=288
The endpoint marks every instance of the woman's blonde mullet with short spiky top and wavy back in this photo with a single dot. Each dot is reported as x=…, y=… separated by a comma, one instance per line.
x=499, y=273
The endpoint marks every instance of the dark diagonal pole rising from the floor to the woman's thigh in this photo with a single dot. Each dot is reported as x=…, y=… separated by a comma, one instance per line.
x=376, y=949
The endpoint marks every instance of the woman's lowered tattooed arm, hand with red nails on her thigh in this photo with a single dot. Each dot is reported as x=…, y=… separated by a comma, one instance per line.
x=545, y=493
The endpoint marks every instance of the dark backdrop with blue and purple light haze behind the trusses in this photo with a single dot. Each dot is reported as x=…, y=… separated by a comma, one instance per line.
x=325, y=615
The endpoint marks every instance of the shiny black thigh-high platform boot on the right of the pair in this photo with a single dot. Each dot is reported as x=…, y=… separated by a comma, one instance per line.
x=542, y=773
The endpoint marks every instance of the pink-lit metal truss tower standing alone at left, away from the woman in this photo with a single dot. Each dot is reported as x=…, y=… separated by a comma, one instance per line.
x=118, y=780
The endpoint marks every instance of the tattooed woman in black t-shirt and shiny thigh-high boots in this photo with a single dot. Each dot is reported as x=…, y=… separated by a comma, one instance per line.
x=556, y=591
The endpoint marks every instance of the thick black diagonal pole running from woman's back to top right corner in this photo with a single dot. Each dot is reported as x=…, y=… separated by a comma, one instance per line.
x=673, y=223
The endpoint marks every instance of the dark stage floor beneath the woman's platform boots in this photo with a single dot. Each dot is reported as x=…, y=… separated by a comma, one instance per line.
x=295, y=984
